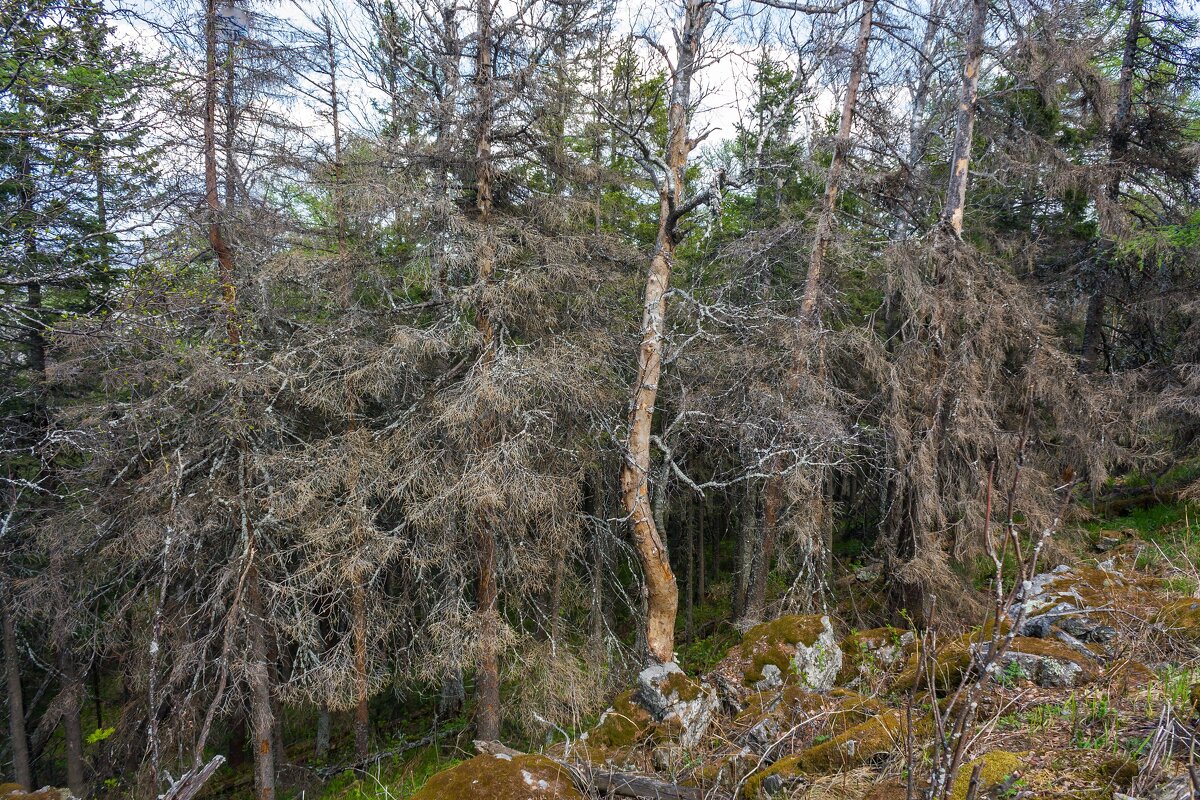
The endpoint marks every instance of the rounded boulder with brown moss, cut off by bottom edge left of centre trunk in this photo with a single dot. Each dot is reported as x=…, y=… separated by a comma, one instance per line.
x=502, y=778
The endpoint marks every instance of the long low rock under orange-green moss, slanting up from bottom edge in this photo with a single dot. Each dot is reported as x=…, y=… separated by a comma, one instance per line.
x=862, y=744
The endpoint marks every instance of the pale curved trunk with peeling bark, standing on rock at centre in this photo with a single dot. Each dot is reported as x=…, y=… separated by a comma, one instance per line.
x=662, y=592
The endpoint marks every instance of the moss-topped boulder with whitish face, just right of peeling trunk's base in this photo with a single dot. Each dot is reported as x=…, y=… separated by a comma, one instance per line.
x=797, y=649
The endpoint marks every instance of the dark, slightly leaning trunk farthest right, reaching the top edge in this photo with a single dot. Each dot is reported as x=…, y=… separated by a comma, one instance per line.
x=1119, y=147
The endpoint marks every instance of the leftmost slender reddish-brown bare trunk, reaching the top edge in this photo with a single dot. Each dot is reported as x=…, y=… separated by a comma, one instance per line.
x=213, y=202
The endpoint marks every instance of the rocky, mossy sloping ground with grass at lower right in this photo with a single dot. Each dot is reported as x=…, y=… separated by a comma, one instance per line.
x=1096, y=699
